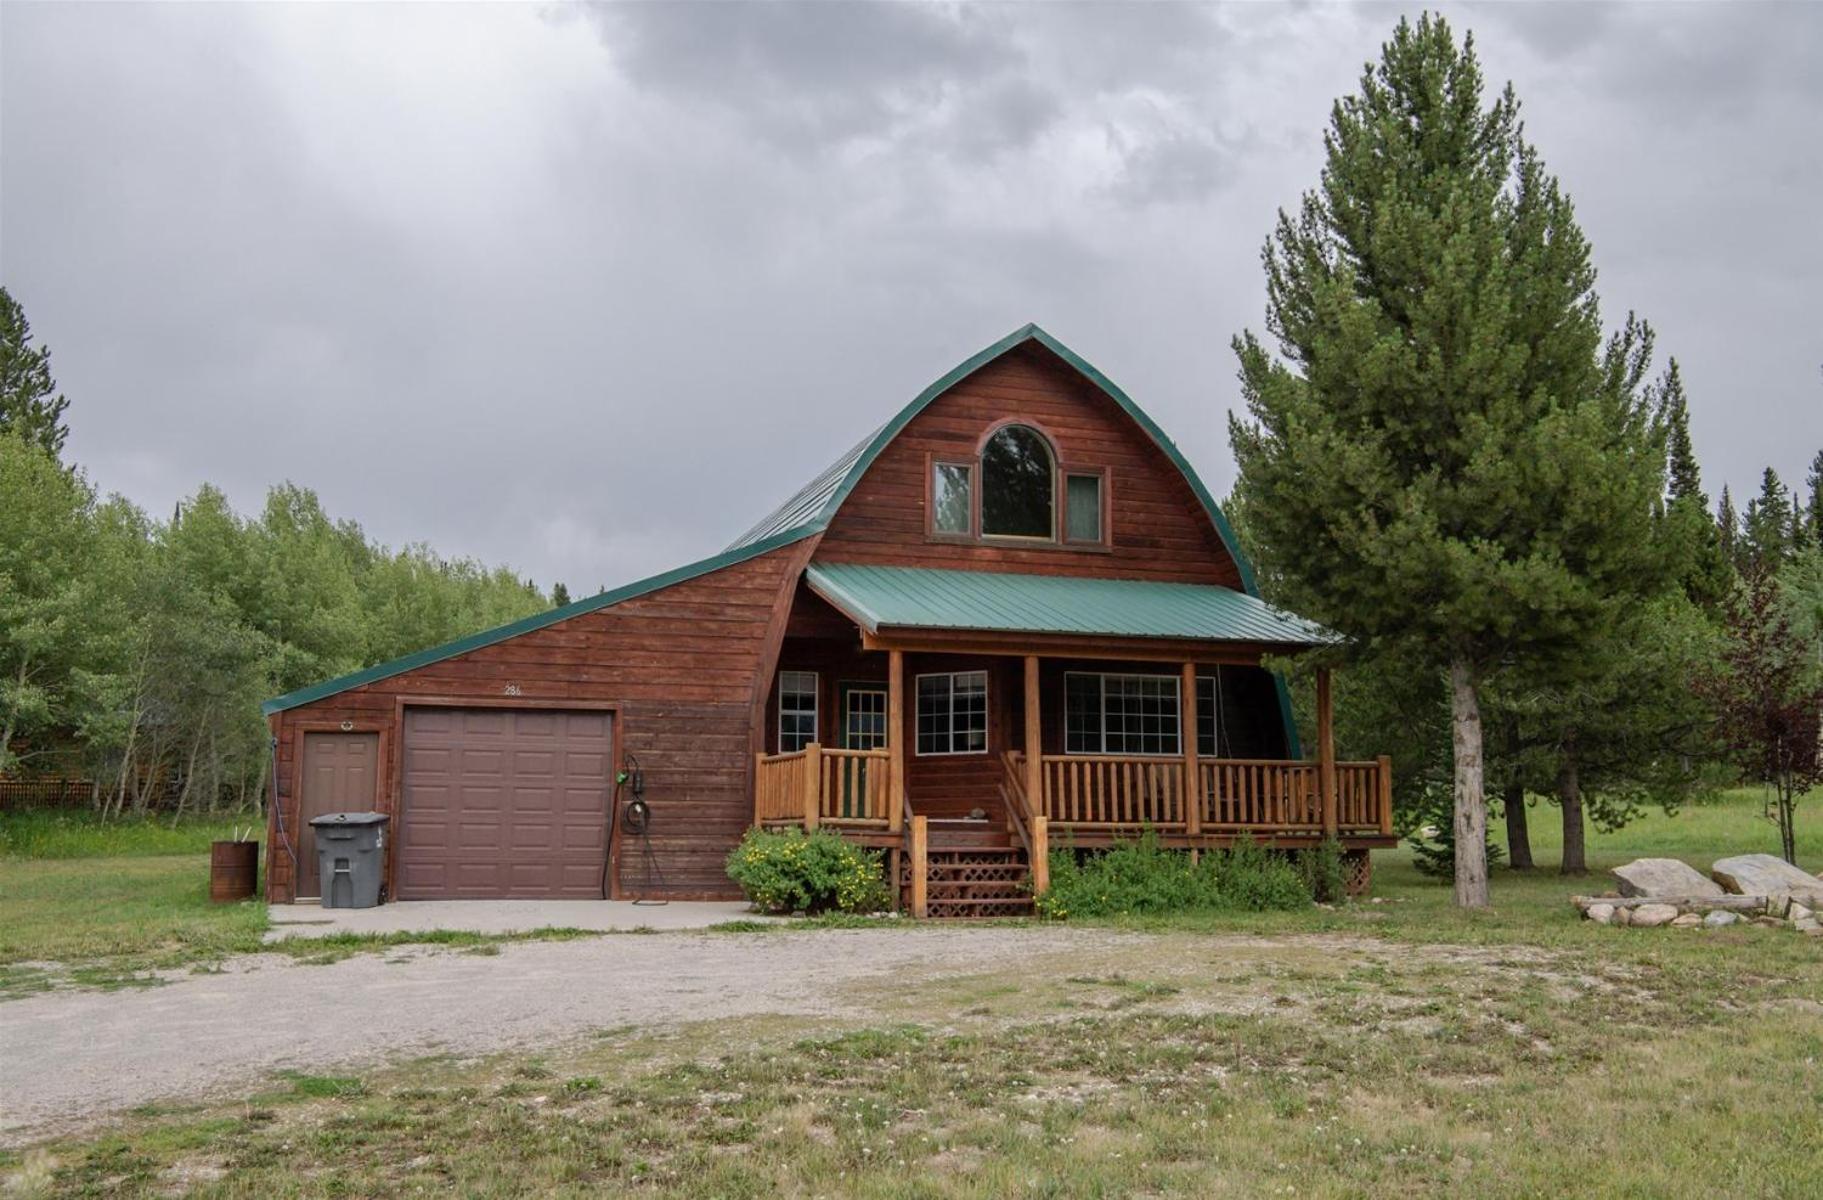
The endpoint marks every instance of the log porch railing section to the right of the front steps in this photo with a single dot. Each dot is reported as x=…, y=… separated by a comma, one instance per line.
x=1261, y=798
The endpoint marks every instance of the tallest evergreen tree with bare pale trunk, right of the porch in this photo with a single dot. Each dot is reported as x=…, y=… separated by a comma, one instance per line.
x=1443, y=457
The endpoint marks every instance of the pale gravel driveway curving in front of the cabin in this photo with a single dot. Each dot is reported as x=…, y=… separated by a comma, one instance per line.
x=70, y=1059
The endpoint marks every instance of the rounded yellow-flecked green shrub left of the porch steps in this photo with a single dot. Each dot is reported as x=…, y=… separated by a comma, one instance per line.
x=809, y=873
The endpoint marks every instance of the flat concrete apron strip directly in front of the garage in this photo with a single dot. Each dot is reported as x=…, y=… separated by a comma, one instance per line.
x=500, y=918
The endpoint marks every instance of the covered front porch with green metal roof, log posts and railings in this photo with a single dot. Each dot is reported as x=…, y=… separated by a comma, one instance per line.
x=953, y=734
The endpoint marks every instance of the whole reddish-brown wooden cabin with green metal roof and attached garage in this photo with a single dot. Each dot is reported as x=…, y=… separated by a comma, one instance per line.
x=1009, y=619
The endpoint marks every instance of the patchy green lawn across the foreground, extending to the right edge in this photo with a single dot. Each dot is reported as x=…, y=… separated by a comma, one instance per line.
x=1394, y=1048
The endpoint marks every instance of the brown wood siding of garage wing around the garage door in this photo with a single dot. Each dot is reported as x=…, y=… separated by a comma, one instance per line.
x=679, y=668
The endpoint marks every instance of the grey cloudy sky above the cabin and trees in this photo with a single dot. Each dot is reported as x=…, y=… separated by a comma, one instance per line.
x=588, y=291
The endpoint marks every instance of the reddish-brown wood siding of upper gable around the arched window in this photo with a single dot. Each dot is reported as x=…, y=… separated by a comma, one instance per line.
x=1159, y=528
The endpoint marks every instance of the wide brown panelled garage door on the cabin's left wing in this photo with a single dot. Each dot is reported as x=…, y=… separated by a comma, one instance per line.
x=504, y=803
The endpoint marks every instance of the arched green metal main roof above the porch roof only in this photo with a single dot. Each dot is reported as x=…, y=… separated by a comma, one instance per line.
x=812, y=508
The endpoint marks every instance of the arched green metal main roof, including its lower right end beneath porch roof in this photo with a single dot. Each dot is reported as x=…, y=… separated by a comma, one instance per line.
x=863, y=459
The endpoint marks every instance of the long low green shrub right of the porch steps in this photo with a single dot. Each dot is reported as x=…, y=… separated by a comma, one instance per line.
x=1142, y=878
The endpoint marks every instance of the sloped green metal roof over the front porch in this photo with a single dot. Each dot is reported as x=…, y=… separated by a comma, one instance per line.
x=1007, y=603
